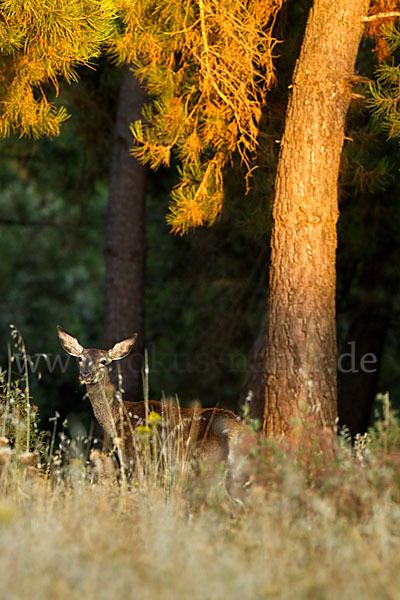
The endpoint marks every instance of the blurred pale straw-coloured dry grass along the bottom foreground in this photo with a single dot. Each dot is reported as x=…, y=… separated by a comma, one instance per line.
x=78, y=540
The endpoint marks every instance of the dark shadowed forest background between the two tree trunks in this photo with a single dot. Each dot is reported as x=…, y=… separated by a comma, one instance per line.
x=204, y=299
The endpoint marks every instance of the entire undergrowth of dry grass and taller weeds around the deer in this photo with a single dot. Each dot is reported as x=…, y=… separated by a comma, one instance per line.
x=314, y=518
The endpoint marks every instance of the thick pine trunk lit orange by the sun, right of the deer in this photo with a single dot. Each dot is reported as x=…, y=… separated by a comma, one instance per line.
x=301, y=335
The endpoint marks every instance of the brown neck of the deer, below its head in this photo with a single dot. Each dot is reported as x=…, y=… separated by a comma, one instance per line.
x=102, y=399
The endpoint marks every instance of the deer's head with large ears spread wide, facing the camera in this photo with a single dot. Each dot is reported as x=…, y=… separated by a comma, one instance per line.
x=93, y=362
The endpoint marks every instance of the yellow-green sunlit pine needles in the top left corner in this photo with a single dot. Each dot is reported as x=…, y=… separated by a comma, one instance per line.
x=40, y=42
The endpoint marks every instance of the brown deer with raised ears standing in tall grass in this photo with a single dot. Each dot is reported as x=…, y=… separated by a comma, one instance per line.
x=201, y=434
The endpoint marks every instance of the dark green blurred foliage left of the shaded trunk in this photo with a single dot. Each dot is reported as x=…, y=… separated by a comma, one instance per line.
x=52, y=232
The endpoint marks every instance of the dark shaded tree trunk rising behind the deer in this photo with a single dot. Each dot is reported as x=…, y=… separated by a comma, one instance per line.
x=126, y=239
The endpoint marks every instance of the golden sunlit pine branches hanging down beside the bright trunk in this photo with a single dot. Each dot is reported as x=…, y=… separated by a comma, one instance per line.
x=207, y=66
